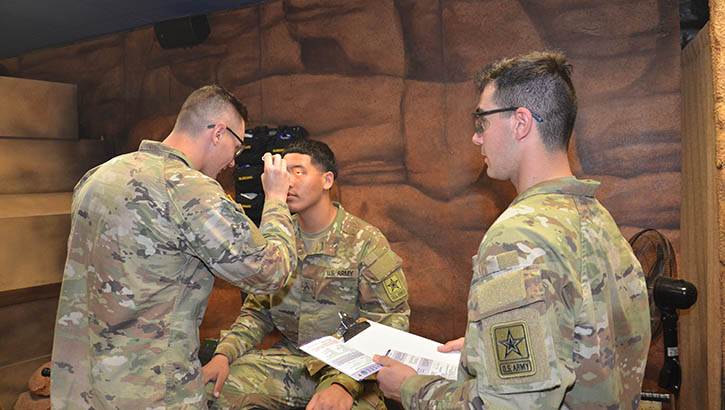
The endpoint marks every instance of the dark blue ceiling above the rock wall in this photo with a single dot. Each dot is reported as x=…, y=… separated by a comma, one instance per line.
x=27, y=25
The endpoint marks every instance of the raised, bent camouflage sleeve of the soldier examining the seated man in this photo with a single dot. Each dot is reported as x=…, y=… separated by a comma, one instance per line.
x=226, y=240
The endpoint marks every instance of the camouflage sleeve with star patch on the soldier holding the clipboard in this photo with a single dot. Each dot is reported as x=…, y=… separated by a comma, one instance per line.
x=511, y=350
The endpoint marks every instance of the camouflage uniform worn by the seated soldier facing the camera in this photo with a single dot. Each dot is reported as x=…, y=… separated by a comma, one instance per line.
x=351, y=269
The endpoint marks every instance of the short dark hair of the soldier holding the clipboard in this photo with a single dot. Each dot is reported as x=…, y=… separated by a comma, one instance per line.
x=541, y=82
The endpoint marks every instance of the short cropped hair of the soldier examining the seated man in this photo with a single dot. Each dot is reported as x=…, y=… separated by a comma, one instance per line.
x=206, y=104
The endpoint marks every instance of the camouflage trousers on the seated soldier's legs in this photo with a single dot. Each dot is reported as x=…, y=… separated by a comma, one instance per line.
x=277, y=378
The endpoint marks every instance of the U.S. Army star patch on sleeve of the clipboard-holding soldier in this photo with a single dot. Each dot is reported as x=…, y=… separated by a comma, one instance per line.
x=511, y=344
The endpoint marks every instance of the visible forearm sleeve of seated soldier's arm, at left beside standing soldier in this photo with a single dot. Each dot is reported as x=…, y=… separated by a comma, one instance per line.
x=252, y=324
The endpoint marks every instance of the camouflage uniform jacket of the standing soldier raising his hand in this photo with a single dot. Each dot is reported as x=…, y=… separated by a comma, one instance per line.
x=147, y=233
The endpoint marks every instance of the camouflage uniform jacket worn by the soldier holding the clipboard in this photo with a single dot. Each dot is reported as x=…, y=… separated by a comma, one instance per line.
x=557, y=311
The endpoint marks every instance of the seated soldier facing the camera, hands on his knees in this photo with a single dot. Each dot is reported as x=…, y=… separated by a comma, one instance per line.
x=345, y=264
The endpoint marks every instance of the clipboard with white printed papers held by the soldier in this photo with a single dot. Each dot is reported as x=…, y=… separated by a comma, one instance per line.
x=351, y=349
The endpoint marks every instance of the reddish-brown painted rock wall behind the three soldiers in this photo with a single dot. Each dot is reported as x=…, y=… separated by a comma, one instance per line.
x=387, y=84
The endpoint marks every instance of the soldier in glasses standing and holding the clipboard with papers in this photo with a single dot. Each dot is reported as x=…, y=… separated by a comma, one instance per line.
x=557, y=309
